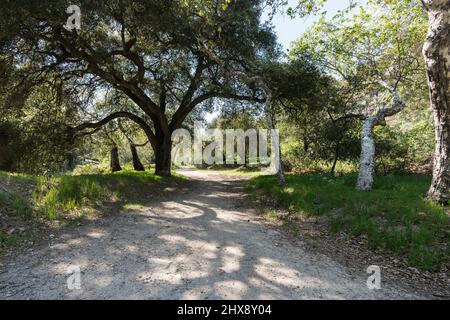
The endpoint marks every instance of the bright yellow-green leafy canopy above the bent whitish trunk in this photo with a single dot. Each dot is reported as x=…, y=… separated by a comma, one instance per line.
x=369, y=44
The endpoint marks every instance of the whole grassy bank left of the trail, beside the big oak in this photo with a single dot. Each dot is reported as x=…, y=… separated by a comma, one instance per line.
x=28, y=203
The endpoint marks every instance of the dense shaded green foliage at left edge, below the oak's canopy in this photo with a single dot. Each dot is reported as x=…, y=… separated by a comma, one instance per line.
x=27, y=129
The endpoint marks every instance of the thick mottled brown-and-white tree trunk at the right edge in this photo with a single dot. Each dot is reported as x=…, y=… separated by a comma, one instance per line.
x=437, y=60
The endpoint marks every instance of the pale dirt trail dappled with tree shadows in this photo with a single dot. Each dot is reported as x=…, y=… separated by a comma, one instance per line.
x=202, y=243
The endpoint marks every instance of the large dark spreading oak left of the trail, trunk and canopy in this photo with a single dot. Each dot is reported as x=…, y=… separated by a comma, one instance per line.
x=165, y=57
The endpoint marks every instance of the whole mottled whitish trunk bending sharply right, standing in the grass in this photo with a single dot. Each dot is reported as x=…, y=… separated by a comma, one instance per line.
x=367, y=160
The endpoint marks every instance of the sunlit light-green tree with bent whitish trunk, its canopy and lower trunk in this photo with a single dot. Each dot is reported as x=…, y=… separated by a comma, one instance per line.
x=375, y=56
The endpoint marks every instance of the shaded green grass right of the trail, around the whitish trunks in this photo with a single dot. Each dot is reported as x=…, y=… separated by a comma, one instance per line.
x=395, y=215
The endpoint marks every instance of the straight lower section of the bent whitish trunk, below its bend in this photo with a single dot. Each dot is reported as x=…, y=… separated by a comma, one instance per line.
x=367, y=159
